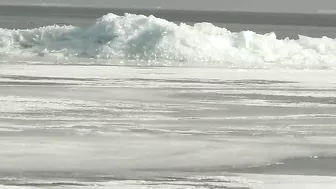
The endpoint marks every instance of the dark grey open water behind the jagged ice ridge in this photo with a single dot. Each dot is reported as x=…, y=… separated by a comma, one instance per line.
x=283, y=24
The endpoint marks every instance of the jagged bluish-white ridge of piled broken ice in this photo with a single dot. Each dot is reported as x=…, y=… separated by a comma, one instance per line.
x=138, y=37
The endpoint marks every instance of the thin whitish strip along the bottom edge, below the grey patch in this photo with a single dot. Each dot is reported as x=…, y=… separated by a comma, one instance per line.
x=253, y=181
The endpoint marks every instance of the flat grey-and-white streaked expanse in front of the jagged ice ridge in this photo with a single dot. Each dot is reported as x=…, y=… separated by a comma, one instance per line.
x=168, y=127
